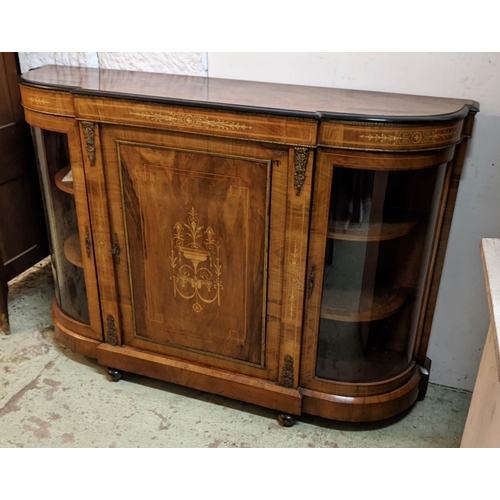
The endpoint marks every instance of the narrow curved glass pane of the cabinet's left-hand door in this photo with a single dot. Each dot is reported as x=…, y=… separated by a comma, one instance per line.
x=67, y=263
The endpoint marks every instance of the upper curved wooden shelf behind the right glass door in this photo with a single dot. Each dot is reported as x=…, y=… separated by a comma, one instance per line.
x=375, y=231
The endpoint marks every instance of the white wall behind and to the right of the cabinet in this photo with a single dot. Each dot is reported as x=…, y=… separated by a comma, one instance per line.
x=461, y=319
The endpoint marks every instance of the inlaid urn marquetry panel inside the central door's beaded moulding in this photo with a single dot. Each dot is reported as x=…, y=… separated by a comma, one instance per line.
x=196, y=226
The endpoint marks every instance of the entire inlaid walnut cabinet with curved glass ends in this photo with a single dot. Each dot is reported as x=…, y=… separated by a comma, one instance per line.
x=277, y=244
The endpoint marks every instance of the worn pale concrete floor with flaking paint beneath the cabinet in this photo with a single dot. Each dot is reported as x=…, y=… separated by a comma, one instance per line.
x=50, y=397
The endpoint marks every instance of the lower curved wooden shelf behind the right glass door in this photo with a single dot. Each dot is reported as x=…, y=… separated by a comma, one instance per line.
x=349, y=305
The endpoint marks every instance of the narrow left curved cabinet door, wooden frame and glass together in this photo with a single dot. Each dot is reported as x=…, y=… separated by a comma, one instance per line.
x=65, y=195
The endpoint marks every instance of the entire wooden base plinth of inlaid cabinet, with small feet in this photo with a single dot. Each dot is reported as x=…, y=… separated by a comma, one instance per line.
x=292, y=402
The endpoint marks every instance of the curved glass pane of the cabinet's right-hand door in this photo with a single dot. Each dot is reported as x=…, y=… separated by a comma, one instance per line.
x=380, y=231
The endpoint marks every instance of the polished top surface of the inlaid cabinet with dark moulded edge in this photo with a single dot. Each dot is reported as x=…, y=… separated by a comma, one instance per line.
x=248, y=96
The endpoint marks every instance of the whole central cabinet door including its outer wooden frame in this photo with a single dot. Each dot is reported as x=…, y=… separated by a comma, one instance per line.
x=193, y=228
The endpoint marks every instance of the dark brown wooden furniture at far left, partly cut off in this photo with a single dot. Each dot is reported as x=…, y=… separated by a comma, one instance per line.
x=23, y=234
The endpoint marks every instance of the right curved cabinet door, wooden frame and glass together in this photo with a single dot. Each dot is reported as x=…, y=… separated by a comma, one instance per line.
x=375, y=225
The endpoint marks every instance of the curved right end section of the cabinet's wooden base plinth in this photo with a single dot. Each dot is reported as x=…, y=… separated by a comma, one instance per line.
x=362, y=409
